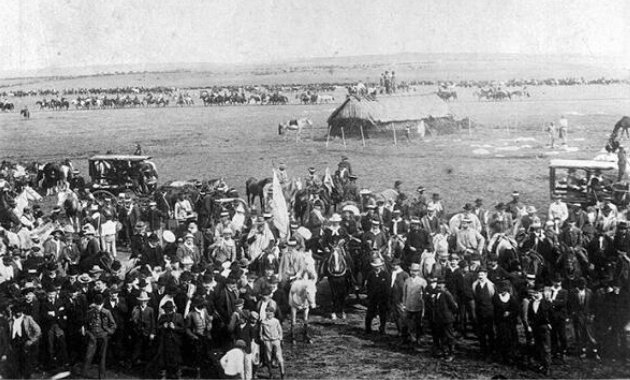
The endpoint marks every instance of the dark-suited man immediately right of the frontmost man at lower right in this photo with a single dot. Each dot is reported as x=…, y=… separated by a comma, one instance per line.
x=559, y=298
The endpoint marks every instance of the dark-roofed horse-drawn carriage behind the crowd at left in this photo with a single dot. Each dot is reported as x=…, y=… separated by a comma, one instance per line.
x=111, y=175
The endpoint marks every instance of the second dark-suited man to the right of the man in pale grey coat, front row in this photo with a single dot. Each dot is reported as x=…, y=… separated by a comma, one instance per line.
x=444, y=311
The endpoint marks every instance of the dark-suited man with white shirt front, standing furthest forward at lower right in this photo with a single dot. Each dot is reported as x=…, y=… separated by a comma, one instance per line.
x=539, y=317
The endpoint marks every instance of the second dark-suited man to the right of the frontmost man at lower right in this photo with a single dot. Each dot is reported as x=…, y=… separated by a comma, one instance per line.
x=581, y=305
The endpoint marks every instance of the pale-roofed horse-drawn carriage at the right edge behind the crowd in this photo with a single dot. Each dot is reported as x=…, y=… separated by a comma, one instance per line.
x=586, y=182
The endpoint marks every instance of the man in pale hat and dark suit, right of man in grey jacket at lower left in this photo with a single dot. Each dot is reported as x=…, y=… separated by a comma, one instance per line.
x=143, y=325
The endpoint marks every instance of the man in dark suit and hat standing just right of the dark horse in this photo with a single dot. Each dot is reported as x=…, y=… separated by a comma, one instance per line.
x=378, y=287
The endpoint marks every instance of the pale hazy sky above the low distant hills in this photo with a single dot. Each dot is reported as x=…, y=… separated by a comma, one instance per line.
x=37, y=34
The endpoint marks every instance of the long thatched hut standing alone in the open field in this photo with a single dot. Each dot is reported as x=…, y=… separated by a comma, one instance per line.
x=364, y=117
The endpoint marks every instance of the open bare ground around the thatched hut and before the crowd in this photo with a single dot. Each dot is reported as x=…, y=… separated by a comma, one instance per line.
x=508, y=152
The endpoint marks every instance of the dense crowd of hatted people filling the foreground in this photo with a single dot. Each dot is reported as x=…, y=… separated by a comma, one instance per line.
x=213, y=298
